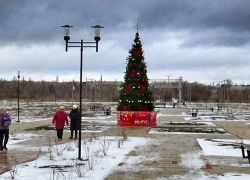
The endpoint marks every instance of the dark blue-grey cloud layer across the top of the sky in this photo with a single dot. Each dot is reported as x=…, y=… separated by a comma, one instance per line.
x=39, y=21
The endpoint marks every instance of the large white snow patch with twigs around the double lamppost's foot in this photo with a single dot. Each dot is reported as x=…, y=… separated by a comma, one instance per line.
x=65, y=155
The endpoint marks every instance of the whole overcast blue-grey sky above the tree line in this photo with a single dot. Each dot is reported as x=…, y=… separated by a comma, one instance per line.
x=200, y=40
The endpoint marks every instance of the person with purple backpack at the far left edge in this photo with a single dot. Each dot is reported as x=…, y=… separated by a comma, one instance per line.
x=4, y=129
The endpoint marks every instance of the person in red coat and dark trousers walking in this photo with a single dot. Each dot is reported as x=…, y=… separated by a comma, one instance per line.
x=59, y=119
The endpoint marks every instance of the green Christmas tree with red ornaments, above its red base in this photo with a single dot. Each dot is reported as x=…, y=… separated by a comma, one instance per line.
x=135, y=93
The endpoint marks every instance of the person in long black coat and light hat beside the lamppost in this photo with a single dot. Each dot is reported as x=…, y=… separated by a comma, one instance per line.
x=74, y=116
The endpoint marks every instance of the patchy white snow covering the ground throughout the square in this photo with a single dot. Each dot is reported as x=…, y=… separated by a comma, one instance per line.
x=61, y=162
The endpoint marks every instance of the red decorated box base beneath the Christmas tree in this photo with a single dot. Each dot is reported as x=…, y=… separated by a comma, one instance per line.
x=136, y=118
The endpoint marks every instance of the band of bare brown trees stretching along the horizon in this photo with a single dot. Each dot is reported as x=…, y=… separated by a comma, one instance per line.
x=108, y=91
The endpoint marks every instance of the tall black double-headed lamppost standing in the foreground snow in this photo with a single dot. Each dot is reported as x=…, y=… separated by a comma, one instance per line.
x=81, y=45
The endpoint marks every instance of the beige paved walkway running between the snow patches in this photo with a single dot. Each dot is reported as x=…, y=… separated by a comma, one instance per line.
x=163, y=152
